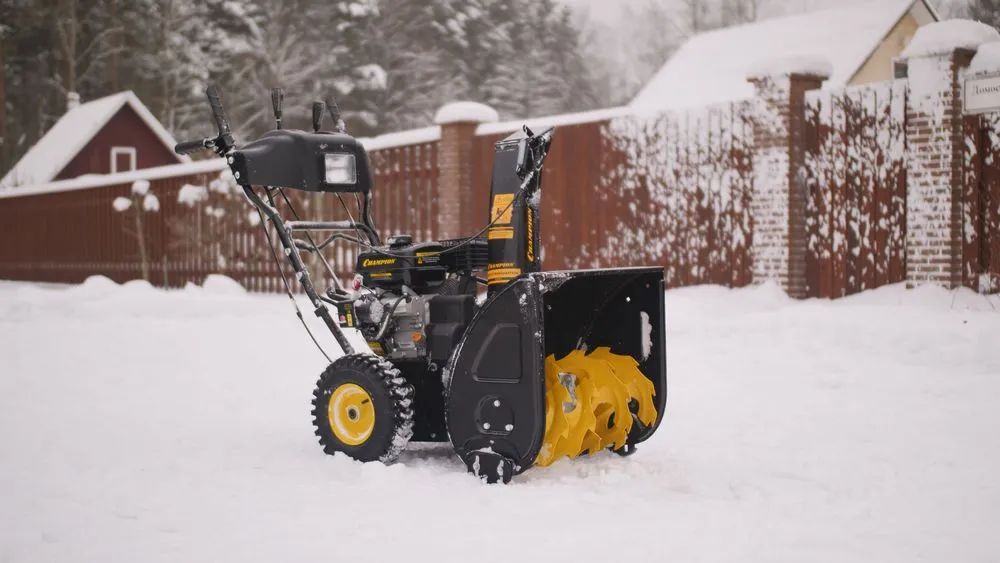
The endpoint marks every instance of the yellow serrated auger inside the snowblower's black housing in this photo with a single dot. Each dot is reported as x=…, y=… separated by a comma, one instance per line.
x=587, y=403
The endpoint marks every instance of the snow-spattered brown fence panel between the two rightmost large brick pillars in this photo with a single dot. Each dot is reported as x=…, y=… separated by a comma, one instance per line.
x=855, y=174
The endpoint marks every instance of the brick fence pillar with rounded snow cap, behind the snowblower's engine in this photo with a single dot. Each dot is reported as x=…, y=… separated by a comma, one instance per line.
x=458, y=123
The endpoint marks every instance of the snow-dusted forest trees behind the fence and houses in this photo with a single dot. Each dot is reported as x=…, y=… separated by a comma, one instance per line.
x=389, y=63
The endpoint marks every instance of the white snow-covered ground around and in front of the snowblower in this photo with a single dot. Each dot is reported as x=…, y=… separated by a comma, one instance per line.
x=141, y=425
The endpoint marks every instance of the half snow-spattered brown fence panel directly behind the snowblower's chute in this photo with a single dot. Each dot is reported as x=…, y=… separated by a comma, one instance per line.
x=671, y=189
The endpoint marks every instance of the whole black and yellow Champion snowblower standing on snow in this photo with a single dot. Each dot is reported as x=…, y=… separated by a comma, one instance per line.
x=546, y=365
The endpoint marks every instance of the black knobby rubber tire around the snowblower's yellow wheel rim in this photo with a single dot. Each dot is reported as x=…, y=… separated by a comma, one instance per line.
x=393, y=400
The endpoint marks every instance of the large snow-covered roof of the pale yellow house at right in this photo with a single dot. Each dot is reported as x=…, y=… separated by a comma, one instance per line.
x=712, y=67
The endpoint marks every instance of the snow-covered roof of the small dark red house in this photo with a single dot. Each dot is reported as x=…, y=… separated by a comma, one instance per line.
x=71, y=134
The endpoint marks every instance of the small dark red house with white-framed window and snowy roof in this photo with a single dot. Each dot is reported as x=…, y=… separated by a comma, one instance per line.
x=113, y=134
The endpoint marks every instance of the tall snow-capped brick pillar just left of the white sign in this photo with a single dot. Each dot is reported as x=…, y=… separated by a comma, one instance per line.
x=934, y=60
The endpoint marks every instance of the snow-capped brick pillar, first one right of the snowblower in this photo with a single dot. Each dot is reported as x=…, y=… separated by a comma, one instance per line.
x=778, y=207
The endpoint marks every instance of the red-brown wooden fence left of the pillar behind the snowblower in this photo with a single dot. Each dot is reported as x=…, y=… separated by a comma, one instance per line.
x=68, y=231
